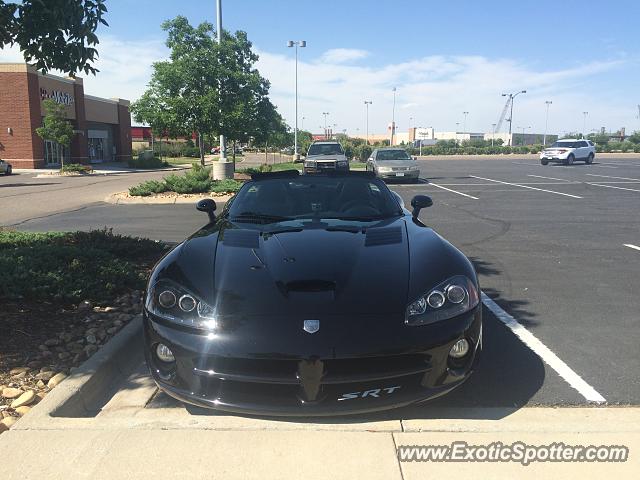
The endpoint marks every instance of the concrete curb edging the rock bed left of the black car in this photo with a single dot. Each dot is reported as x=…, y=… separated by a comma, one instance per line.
x=77, y=395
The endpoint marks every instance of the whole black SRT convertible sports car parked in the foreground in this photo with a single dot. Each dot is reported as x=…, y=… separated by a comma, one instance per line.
x=312, y=295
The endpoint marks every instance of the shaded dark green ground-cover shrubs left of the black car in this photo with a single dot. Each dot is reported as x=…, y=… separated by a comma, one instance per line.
x=68, y=267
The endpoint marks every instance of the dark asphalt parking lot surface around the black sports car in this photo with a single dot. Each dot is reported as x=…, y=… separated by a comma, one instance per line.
x=557, y=249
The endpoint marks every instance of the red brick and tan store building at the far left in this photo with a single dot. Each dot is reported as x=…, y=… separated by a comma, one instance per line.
x=102, y=126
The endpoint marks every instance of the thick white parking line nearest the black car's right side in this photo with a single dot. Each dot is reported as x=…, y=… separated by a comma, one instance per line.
x=540, y=349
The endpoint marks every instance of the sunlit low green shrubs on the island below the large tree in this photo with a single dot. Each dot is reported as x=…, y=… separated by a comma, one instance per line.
x=196, y=180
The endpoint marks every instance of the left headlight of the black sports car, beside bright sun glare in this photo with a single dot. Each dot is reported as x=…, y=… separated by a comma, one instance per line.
x=174, y=303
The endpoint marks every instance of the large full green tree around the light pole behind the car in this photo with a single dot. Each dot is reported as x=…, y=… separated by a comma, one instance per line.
x=206, y=87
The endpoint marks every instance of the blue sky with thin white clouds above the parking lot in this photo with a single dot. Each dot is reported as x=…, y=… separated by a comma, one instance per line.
x=443, y=58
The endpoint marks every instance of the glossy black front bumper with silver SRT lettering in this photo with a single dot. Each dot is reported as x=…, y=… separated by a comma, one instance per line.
x=296, y=385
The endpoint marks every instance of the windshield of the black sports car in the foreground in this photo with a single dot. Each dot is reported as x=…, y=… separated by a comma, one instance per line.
x=347, y=198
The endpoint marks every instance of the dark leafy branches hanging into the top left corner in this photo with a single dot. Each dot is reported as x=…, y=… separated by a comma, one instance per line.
x=54, y=34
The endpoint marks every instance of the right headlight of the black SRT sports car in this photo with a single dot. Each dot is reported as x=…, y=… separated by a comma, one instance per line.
x=451, y=298
